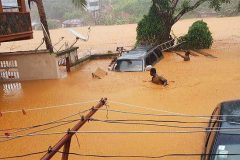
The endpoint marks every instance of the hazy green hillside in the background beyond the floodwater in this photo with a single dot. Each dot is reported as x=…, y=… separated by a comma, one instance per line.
x=120, y=11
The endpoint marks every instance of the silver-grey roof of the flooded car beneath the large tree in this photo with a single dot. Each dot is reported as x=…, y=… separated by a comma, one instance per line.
x=137, y=53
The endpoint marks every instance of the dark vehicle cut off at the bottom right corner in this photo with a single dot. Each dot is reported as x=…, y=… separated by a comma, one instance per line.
x=223, y=138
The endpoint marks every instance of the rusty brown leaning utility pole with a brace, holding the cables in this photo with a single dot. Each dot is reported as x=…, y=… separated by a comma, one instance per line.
x=66, y=140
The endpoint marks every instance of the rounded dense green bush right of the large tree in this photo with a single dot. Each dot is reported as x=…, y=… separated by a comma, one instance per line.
x=198, y=37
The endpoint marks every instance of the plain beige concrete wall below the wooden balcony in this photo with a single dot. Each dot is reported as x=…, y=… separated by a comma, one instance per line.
x=32, y=66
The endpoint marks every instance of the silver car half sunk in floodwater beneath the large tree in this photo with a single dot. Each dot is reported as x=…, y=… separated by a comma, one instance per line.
x=138, y=60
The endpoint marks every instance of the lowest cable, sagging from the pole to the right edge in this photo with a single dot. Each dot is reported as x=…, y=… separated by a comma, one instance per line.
x=146, y=157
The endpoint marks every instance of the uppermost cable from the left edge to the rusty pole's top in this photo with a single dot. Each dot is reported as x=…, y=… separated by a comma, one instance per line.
x=49, y=107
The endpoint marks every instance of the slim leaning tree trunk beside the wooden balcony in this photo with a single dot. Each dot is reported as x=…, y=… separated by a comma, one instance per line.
x=43, y=20
